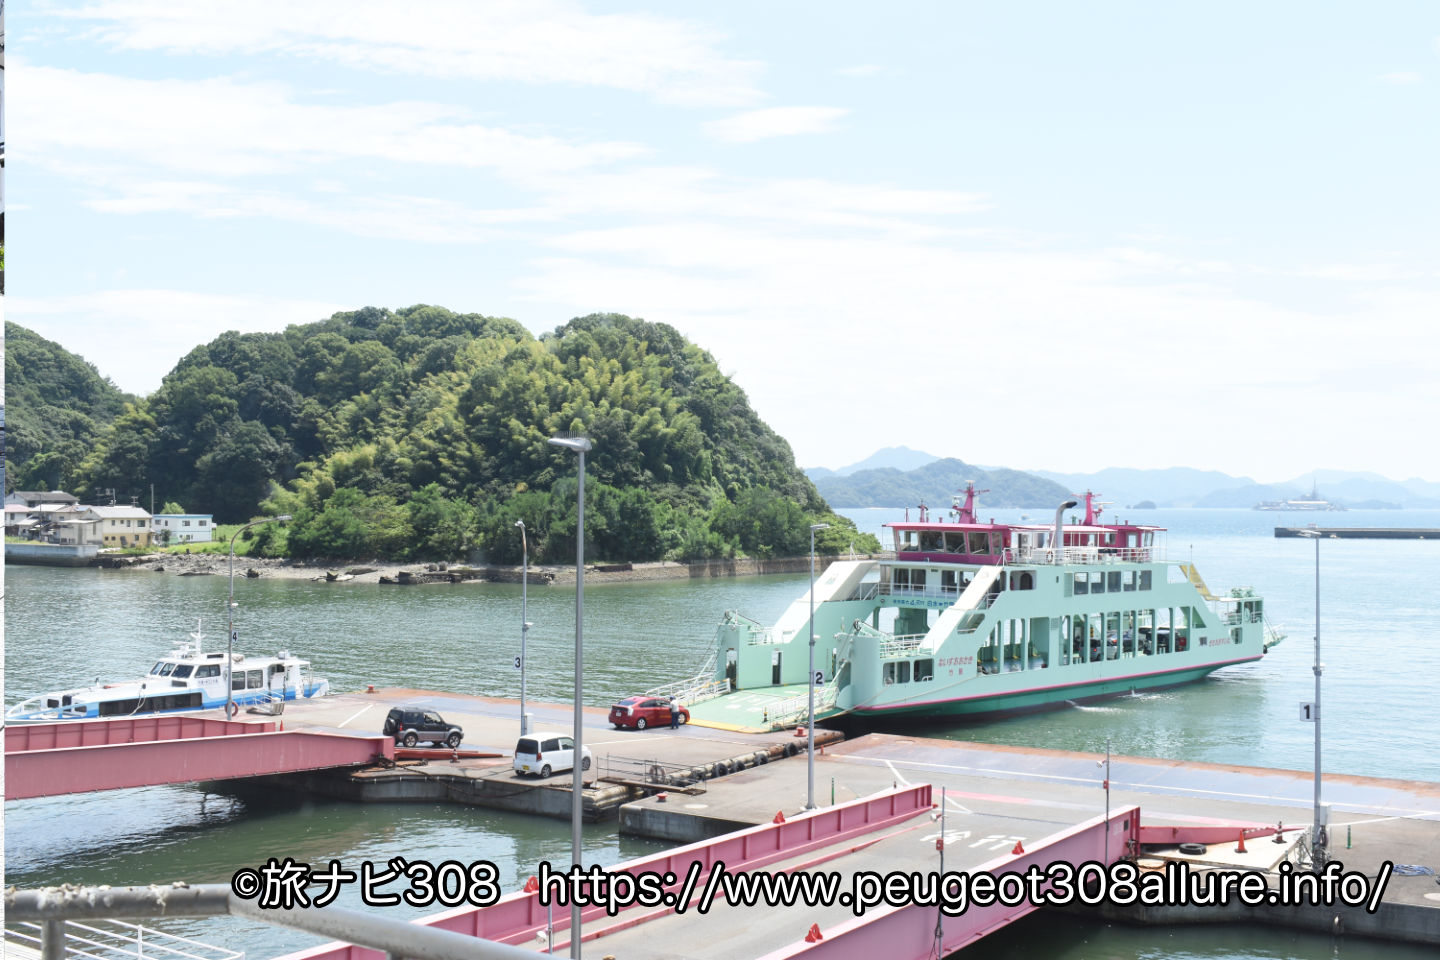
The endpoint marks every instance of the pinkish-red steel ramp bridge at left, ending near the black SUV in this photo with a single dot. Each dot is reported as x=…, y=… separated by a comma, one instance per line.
x=109, y=755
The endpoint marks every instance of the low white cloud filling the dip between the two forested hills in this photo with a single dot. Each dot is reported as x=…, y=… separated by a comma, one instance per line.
x=138, y=336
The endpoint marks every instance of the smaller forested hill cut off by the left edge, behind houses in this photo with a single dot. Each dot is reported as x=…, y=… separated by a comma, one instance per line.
x=57, y=408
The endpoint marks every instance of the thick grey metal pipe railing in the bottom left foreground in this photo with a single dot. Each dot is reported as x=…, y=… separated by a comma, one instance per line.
x=54, y=909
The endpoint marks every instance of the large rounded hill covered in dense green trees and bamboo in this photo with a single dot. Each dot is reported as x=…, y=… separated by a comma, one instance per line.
x=424, y=434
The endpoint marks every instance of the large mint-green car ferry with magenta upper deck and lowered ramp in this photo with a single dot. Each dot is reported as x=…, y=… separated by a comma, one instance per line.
x=981, y=618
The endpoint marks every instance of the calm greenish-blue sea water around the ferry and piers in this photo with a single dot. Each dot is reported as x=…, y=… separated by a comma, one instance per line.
x=70, y=627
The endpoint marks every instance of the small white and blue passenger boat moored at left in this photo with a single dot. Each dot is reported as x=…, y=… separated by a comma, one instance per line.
x=186, y=679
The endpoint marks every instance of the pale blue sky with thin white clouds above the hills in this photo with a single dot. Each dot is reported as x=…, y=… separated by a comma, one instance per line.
x=1046, y=235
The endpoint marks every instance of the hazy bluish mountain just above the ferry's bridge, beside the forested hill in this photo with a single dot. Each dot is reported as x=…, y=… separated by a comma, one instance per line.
x=935, y=483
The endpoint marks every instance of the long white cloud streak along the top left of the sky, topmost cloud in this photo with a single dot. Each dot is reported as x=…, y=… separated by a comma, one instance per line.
x=526, y=41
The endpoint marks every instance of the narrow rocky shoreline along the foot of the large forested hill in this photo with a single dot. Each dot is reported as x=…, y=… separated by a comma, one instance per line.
x=430, y=574
